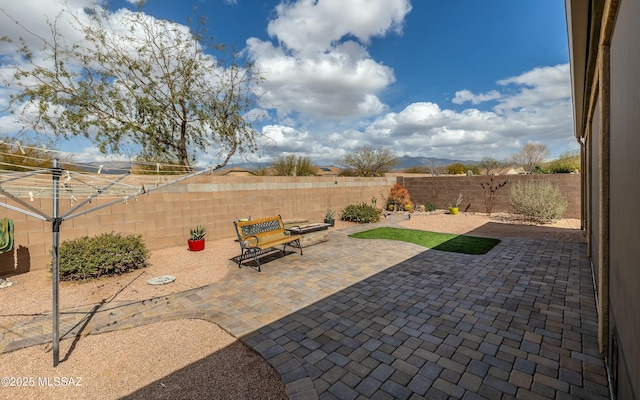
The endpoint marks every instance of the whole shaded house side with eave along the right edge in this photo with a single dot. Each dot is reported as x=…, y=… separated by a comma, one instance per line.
x=604, y=46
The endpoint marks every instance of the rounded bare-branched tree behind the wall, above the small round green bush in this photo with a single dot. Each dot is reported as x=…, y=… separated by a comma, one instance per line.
x=367, y=161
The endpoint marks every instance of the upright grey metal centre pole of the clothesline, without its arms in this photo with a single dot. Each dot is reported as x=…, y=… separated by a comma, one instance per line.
x=54, y=262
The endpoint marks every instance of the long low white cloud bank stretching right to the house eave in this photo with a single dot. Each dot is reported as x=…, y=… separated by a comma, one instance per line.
x=534, y=106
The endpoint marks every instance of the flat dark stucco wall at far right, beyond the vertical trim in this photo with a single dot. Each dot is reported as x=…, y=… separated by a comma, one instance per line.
x=624, y=267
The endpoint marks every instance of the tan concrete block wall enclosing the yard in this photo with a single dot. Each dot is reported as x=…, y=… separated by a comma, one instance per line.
x=164, y=217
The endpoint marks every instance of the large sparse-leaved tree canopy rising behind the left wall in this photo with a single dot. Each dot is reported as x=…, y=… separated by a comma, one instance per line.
x=135, y=80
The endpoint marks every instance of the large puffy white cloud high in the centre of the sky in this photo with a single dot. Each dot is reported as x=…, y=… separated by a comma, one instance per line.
x=314, y=69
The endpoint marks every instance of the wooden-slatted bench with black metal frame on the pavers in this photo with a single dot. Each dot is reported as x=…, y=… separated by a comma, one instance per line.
x=262, y=235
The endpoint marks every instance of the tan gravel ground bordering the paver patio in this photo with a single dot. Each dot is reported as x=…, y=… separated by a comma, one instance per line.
x=132, y=363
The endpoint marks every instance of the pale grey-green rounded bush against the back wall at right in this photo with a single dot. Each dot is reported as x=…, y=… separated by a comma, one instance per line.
x=539, y=202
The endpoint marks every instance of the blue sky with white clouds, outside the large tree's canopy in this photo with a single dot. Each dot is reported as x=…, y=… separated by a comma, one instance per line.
x=457, y=79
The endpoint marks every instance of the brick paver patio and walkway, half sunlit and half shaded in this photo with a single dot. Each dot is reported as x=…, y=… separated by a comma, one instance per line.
x=377, y=319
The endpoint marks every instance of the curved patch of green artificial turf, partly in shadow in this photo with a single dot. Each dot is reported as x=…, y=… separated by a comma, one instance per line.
x=433, y=240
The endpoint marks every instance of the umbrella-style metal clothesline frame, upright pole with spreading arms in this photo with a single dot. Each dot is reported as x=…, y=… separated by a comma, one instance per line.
x=57, y=220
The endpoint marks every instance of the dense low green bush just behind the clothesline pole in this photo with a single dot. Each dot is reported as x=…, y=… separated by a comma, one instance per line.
x=104, y=255
